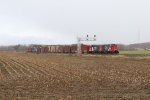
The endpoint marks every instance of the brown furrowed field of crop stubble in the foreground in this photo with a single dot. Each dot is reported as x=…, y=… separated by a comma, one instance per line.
x=26, y=76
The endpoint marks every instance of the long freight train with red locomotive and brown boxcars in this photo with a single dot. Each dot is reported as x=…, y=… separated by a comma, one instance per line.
x=85, y=49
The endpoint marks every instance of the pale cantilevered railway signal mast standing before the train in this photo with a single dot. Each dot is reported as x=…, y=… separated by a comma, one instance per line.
x=79, y=39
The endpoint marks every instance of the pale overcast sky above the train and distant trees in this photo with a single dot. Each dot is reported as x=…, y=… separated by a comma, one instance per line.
x=60, y=21
